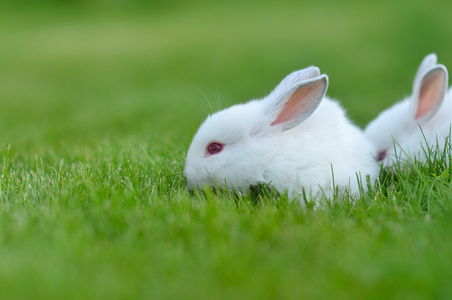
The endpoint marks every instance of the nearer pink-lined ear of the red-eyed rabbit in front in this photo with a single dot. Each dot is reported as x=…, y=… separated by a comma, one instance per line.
x=291, y=107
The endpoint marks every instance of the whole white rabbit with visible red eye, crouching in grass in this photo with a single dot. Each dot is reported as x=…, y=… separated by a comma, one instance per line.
x=290, y=139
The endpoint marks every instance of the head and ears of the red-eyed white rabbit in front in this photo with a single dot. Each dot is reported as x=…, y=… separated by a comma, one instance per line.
x=233, y=147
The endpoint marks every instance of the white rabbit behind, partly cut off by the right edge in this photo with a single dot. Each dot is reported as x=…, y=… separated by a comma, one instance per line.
x=406, y=130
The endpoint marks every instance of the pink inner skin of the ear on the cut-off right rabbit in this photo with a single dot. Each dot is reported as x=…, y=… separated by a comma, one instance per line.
x=431, y=93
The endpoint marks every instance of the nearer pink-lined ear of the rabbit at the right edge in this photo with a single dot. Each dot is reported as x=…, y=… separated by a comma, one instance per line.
x=429, y=93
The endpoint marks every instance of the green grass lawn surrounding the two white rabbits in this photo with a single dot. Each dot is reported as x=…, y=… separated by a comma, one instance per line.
x=99, y=102
